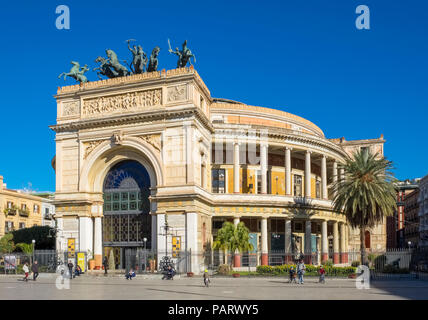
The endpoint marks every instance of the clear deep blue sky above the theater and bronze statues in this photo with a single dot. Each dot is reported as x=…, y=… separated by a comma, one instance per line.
x=303, y=57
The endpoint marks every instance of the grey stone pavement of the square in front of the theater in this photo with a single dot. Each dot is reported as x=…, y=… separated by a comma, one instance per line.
x=152, y=287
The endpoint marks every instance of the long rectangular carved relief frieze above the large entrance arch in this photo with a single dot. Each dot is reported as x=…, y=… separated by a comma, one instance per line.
x=125, y=102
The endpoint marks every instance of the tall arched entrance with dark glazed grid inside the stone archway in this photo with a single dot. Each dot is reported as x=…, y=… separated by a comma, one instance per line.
x=127, y=221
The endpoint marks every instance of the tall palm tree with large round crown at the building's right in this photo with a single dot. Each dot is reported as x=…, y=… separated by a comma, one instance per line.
x=366, y=193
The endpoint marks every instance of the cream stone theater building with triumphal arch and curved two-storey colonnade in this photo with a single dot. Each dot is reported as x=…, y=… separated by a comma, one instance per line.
x=139, y=152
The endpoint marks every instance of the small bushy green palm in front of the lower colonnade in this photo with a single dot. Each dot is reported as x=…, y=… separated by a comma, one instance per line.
x=233, y=238
